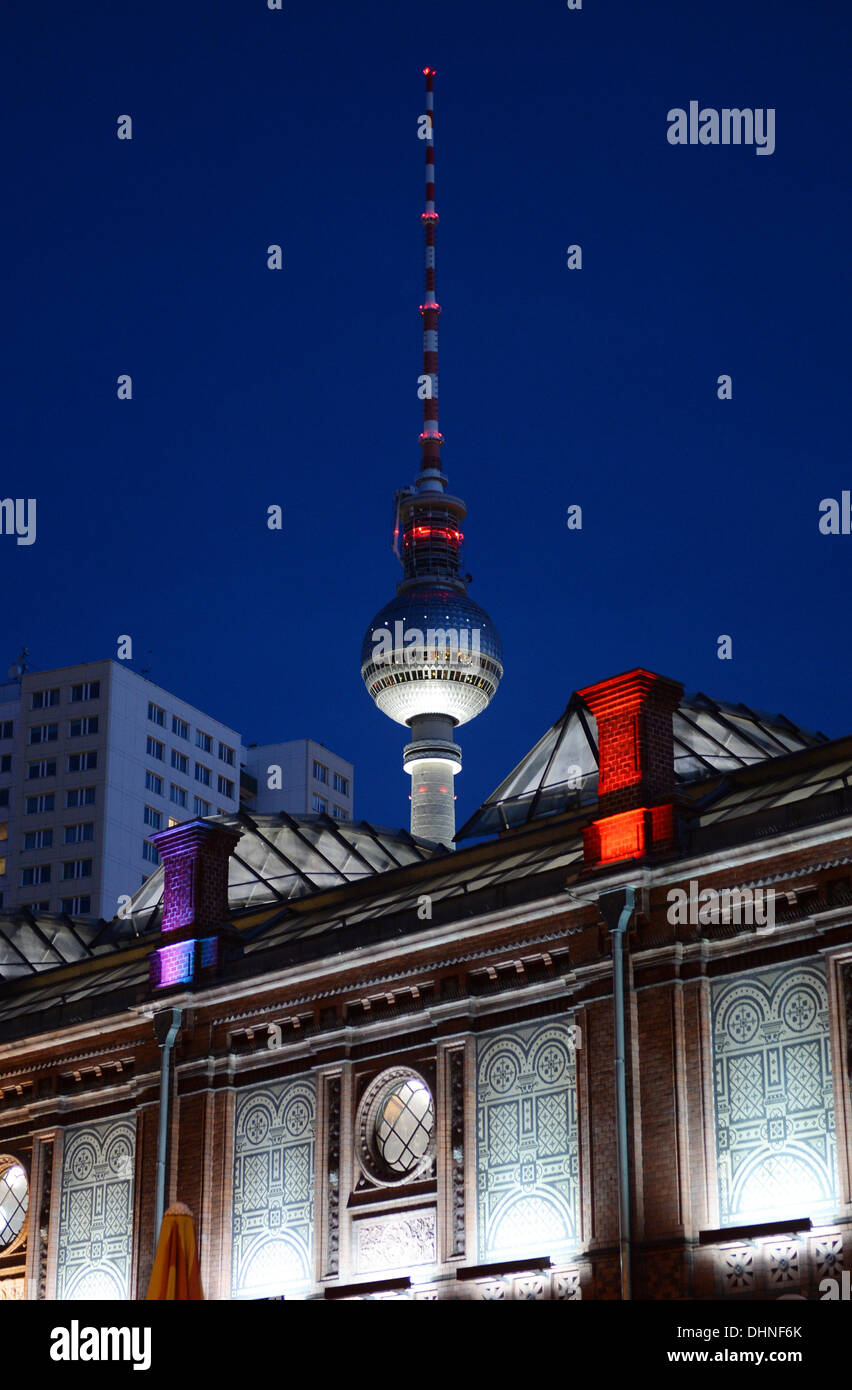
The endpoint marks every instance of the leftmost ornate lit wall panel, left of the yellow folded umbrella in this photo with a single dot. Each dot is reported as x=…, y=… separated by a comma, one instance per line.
x=97, y=1216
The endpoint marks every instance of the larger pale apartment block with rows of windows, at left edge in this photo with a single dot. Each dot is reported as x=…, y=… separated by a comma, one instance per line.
x=95, y=760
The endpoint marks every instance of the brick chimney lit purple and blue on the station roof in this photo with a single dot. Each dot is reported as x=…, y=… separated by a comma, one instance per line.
x=195, y=900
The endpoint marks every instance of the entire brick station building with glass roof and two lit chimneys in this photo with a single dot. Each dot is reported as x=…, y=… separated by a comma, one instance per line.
x=568, y=1061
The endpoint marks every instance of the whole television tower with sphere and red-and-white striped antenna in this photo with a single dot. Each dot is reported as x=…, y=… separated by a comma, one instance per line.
x=432, y=658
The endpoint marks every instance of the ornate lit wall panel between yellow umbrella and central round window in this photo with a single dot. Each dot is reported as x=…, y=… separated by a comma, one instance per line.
x=275, y=1189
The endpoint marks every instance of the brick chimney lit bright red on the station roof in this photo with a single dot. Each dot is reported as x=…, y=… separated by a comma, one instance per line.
x=636, y=767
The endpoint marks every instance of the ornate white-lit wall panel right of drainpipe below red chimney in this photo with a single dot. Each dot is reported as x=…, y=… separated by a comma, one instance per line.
x=775, y=1107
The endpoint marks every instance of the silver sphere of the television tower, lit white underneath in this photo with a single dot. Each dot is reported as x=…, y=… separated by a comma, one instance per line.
x=432, y=651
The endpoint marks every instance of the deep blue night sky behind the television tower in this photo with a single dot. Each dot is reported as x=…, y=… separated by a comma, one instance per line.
x=594, y=387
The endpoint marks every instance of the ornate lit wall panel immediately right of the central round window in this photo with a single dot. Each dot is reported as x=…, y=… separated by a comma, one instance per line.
x=527, y=1152
